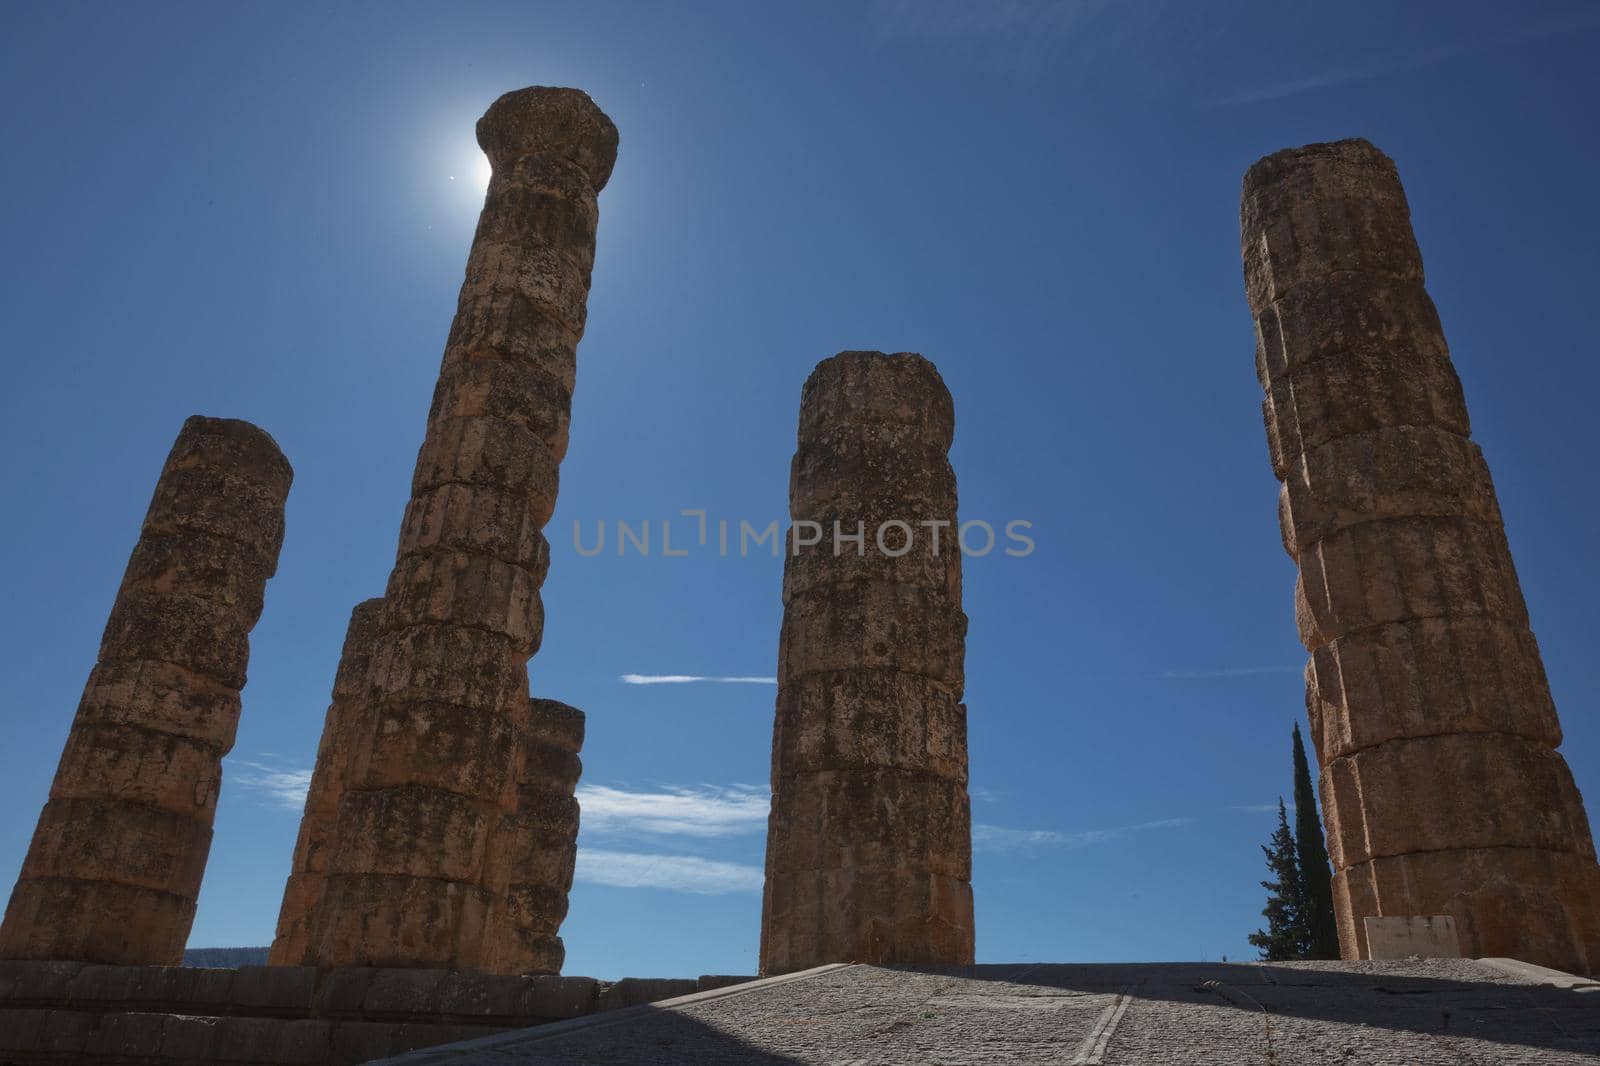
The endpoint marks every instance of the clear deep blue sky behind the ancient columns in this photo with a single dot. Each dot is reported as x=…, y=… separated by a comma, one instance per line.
x=265, y=212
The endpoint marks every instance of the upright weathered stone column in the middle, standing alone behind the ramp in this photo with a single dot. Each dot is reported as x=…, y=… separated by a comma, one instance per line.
x=870, y=838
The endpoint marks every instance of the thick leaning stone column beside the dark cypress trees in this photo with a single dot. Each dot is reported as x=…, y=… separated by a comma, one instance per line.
x=1441, y=783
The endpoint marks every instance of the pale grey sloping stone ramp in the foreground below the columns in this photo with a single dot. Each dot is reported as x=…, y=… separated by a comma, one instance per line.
x=1462, y=1012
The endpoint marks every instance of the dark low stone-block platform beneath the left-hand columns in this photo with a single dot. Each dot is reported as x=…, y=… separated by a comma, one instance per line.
x=71, y=1012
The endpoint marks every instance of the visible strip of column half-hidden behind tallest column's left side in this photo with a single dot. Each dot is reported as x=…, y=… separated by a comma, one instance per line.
x=345, y=735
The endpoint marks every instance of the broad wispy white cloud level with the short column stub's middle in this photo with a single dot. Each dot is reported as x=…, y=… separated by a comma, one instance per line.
x=703, y=811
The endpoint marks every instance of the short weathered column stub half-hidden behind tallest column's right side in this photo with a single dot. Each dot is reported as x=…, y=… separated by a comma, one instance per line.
x=537, y=846
